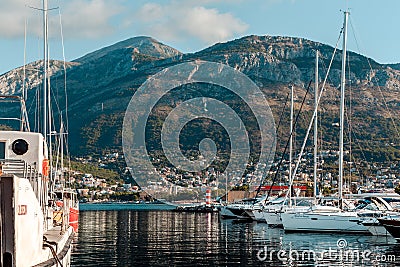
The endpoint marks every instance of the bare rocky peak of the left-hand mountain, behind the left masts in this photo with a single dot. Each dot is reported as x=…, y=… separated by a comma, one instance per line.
x=109, y=62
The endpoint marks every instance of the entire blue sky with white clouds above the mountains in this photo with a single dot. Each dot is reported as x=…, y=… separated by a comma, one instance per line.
x=78, y=27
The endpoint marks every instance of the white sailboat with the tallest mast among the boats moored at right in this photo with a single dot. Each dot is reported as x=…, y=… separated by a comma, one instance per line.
x=329, y=218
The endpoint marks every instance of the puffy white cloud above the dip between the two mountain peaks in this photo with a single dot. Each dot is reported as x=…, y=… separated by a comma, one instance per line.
x=178, y=20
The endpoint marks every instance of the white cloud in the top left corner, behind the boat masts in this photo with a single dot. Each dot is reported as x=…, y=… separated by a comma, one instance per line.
x=80, y=18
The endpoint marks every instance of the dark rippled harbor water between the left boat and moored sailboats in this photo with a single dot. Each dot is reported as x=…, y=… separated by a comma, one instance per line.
x=166, y=238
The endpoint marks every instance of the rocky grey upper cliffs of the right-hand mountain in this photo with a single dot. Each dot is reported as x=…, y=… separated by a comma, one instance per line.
x=288, y=59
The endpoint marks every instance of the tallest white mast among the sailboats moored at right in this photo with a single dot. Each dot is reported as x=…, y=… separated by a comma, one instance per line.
x=342, y=90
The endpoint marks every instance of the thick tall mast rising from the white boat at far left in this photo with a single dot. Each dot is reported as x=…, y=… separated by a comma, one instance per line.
x=45, y=67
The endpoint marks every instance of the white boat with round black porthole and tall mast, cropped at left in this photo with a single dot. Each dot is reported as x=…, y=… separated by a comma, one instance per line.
x=34, y=224
